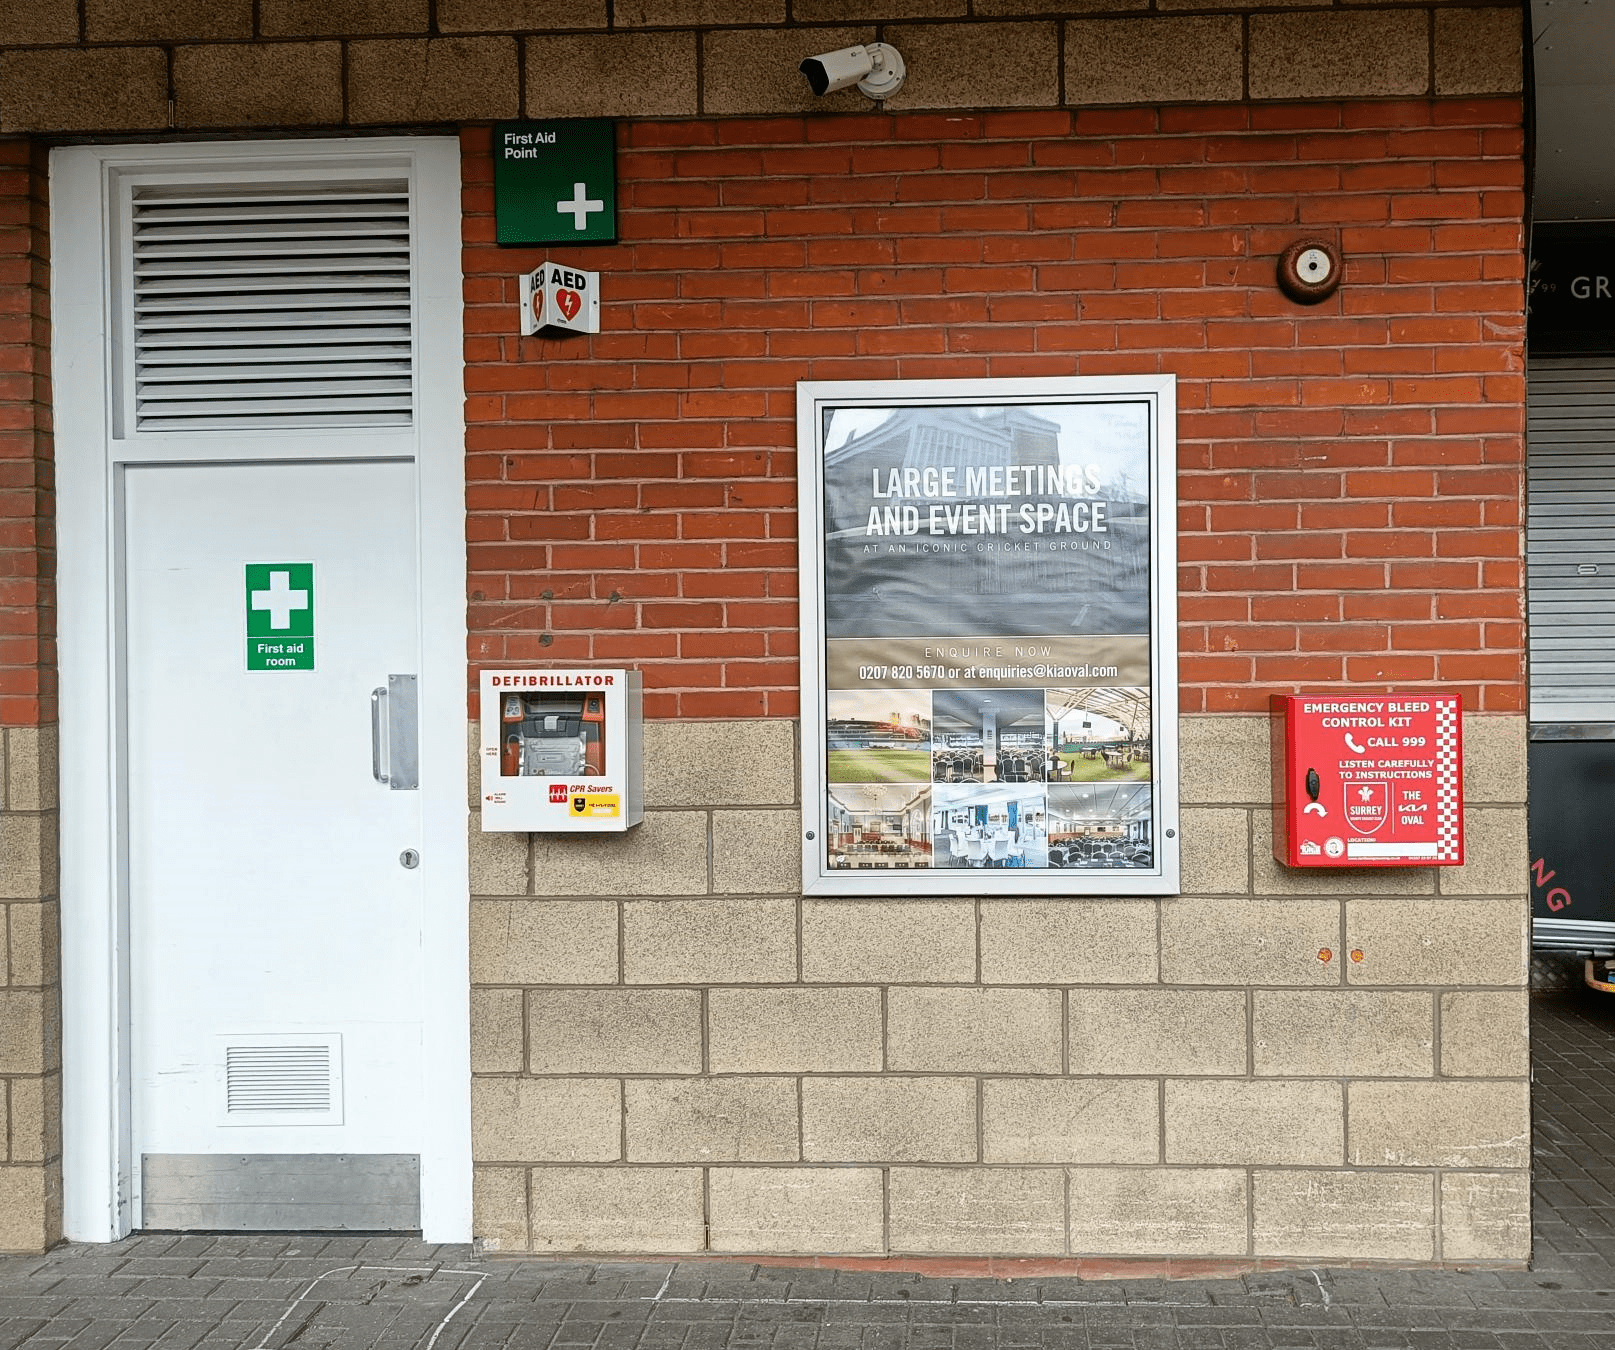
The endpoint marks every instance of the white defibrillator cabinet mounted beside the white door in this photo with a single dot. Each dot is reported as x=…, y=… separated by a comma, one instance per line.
x=563, y=752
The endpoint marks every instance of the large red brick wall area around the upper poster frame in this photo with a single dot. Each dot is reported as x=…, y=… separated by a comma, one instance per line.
x=1351, y=474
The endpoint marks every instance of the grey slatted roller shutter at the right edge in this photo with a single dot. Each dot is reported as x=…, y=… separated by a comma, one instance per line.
x=1571, y=539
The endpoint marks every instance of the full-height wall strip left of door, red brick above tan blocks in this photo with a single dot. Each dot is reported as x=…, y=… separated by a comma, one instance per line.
x=30, y=970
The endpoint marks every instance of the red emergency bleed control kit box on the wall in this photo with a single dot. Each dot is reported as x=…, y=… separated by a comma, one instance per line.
x=1369, y=781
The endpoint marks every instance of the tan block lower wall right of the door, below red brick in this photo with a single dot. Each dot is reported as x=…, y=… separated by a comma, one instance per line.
x=676, y=1052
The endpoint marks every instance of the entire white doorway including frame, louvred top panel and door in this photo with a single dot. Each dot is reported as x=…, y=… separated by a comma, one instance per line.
x=261, y=437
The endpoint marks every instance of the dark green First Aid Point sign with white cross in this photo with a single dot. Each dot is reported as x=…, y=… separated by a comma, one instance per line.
x=556, y=182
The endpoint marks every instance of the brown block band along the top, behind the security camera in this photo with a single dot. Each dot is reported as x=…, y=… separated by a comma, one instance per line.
x=128, y=65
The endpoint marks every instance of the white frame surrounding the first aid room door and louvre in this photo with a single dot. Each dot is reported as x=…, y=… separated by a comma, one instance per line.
x=98, y=1146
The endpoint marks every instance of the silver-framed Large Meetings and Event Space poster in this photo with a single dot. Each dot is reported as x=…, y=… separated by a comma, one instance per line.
x=1038, y=757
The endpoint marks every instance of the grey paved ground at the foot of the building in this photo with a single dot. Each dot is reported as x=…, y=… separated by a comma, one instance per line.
x=351, y=1294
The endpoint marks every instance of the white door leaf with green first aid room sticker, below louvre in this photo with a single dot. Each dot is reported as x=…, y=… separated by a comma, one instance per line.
x=274, y=886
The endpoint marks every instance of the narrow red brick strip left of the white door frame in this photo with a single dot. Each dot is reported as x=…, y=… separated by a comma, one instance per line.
x=28, y=548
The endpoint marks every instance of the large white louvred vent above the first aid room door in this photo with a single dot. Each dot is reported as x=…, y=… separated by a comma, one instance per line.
x=272, y=308
